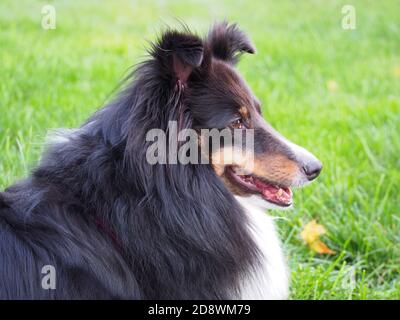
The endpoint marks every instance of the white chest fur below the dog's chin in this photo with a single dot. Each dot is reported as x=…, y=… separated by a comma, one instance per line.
x=270, y=279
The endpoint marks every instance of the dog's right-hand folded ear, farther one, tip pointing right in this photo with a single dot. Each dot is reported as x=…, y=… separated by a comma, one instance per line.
x=227, y=42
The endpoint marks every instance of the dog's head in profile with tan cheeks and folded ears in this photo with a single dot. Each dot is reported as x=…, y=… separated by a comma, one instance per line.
x=214, y=96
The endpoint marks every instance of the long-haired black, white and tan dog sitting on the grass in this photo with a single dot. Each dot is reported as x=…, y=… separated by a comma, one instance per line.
x=106, y=224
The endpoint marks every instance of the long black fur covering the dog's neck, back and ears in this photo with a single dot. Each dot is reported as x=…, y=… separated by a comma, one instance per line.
x=113, y=225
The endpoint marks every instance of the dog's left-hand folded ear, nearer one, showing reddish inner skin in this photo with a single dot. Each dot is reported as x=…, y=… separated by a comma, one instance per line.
x=180, y=53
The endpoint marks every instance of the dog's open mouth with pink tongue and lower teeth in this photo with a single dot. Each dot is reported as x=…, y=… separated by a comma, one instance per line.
x=275, y=194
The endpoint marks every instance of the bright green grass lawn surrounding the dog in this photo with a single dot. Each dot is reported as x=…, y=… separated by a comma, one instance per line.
x=57, y=78
